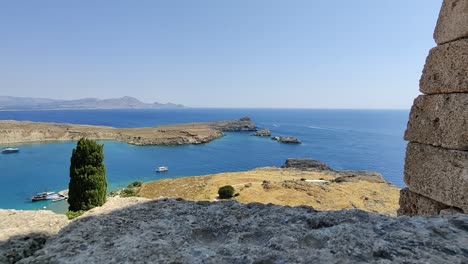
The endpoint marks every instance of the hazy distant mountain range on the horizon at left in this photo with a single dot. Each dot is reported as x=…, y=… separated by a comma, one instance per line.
x=126, y=102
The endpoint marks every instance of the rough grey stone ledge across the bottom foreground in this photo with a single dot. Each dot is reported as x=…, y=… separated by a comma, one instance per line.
x=170, y=231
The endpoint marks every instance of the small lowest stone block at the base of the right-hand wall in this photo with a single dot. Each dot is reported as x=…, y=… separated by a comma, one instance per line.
x=415, y=204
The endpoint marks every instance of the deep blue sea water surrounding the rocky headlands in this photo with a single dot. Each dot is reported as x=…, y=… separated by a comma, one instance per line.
x=344, y=139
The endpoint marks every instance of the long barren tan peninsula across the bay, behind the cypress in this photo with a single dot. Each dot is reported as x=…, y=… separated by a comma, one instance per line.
x=179, y=134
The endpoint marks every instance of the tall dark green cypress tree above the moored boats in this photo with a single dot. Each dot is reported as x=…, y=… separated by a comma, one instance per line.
x=88, y=182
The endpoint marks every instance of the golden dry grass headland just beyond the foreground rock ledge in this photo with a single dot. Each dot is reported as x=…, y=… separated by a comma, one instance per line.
x=285, y=188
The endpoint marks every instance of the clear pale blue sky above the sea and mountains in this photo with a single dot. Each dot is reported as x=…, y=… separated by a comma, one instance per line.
x=214, y=53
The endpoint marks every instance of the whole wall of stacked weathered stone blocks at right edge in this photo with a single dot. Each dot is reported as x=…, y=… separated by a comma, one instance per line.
x=436, y=165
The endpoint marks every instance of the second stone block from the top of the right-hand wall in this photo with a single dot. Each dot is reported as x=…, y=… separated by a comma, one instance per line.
x=446, y=69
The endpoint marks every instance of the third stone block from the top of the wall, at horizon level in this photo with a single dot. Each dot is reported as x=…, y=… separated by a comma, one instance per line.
x=440, y=120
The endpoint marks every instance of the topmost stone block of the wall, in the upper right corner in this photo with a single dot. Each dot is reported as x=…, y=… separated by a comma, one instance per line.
x=453, y=21
